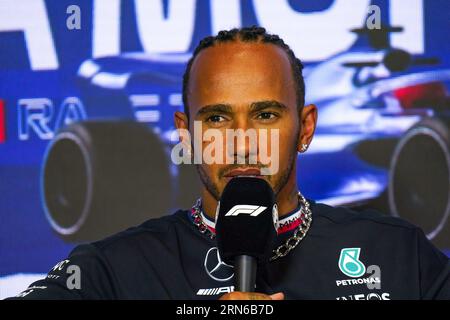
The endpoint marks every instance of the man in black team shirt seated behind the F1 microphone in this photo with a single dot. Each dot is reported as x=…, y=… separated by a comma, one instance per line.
x=248, y=79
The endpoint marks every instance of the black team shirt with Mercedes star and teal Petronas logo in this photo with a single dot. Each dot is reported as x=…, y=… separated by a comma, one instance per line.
x=345, y=255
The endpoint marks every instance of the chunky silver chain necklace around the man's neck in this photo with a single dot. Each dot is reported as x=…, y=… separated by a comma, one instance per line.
x=283, y=249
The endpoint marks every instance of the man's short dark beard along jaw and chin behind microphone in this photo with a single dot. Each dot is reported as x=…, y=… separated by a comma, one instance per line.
x=277, y=185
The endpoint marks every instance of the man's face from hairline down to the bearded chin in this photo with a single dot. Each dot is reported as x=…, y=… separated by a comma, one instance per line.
x=245, y=86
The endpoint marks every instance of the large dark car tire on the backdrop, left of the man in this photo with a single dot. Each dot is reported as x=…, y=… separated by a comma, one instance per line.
x=99, y=178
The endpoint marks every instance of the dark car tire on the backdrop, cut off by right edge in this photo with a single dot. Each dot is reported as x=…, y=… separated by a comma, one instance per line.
x=419, y=179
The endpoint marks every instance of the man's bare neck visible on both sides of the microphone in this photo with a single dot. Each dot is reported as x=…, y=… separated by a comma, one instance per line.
x=287, y=201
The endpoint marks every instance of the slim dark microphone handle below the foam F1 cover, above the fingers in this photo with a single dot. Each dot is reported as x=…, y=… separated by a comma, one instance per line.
x=245, y=273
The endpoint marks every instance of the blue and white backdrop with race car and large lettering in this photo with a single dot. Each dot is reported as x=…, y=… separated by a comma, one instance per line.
x=88, y=90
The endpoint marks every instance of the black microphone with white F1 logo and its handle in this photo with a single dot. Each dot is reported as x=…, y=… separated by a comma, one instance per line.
x=246, y=225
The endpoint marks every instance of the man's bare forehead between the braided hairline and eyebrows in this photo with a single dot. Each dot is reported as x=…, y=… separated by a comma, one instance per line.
x=233, y=71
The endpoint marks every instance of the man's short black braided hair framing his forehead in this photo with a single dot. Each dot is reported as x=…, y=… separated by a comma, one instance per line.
x=248, y=34
